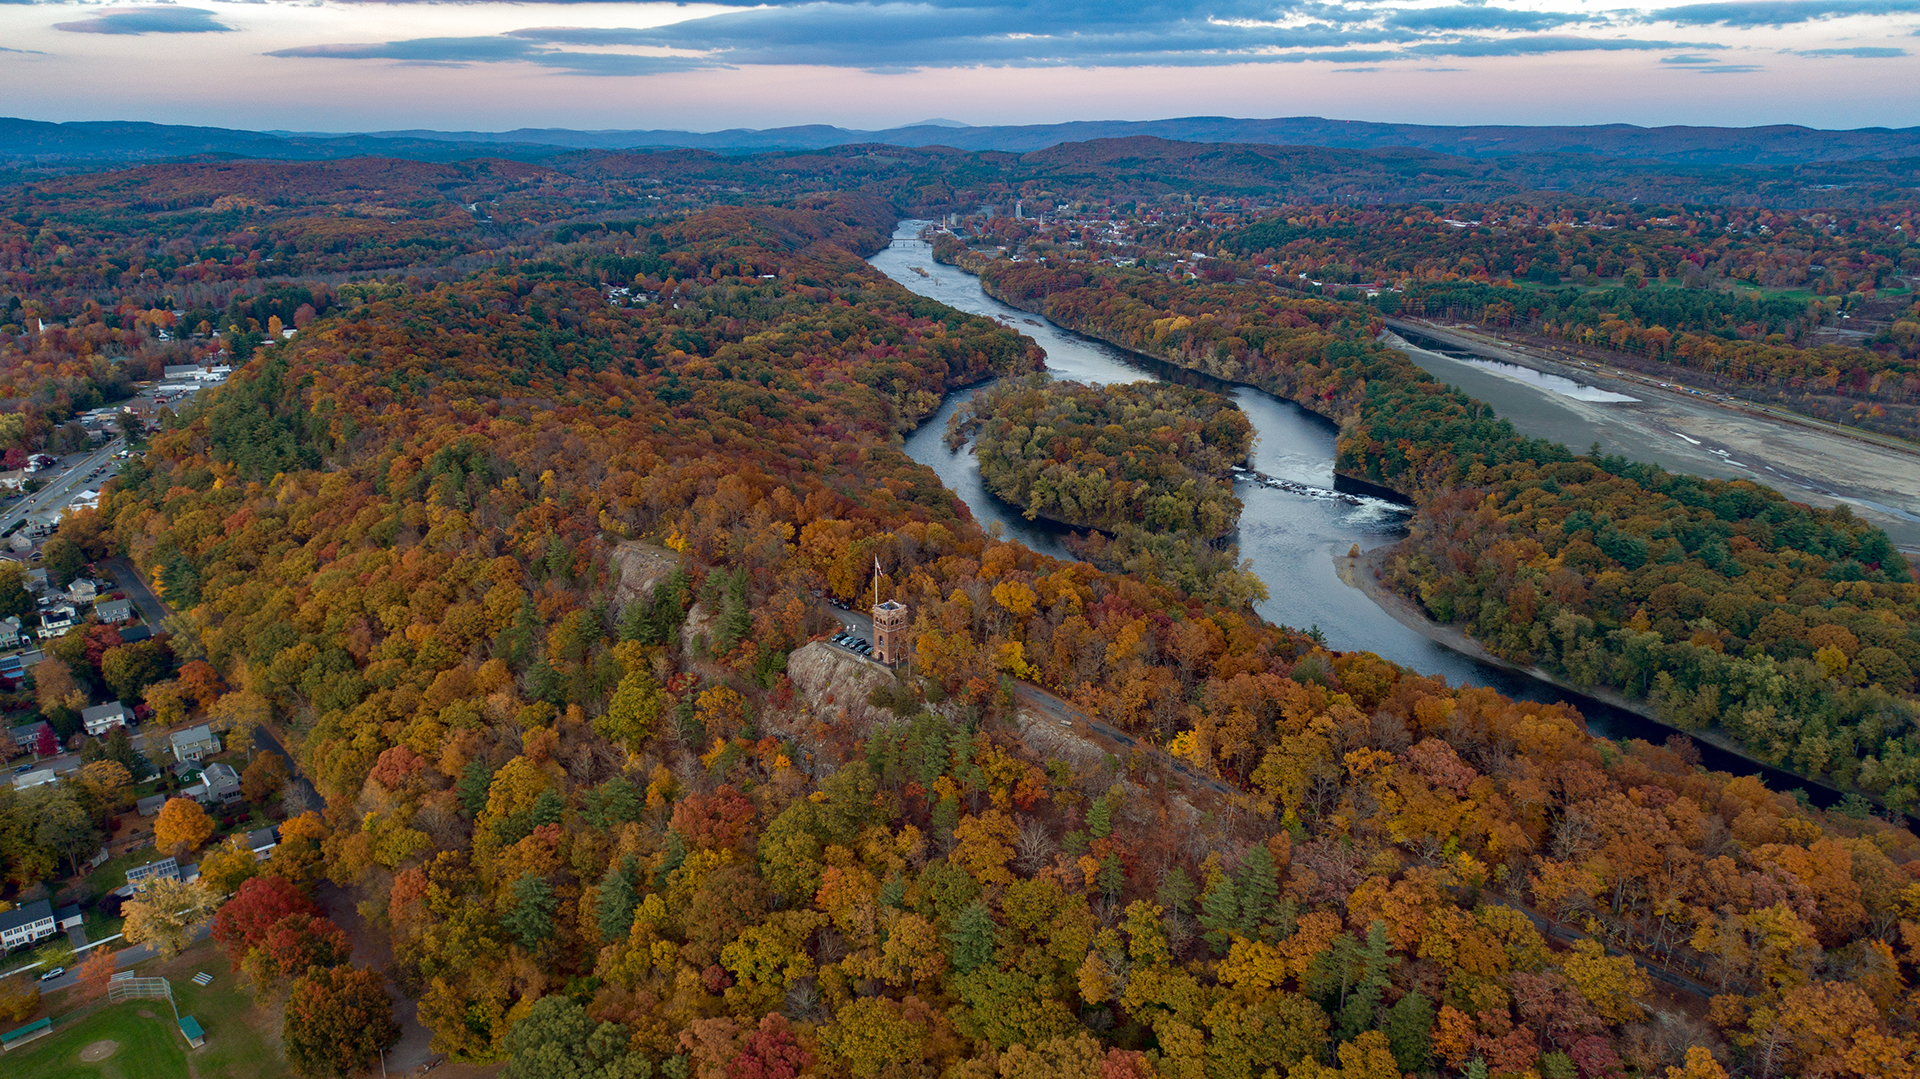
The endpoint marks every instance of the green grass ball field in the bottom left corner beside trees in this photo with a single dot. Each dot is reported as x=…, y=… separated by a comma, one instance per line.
x=155, y=1049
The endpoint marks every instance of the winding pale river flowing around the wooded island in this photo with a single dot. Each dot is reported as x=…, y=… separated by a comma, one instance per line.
x=1289, y=539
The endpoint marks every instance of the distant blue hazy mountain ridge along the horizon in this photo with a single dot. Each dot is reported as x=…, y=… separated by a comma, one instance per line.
x=1773, y=145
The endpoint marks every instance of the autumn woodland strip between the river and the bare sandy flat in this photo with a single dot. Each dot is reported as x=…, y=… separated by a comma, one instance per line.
x=1712, y=600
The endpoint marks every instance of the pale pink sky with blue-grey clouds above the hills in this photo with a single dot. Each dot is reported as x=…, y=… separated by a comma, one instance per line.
x=588, y=64
